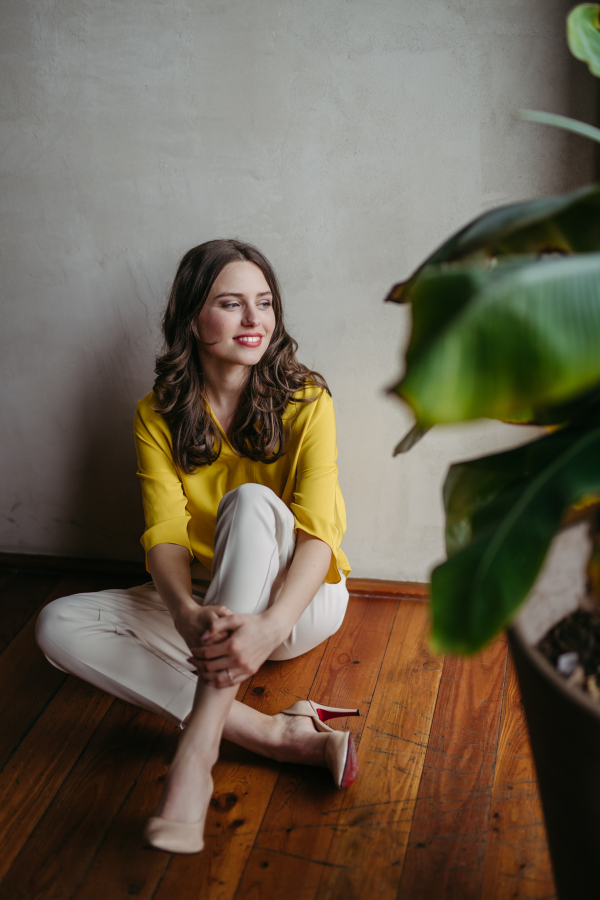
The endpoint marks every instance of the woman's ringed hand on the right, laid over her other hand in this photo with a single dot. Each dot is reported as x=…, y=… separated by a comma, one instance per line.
x=236, y=648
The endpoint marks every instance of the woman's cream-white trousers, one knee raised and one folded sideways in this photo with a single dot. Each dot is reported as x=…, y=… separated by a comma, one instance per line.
x=125, y=642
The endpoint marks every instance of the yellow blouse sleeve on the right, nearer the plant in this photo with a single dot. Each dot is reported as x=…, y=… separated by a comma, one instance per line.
x=316, y=503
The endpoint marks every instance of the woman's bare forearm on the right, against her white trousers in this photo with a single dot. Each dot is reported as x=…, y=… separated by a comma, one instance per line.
x=305, y=576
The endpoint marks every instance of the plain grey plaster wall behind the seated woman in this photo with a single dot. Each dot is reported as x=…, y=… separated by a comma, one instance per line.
x=345, y=137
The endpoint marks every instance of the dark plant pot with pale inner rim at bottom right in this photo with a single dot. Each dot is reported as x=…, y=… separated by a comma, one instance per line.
x=563, y=721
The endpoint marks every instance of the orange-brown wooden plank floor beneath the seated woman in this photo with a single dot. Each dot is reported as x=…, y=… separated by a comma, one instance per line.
x=445, y=804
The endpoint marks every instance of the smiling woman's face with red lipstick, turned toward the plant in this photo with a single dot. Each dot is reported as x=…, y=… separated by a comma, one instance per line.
x=238, y=319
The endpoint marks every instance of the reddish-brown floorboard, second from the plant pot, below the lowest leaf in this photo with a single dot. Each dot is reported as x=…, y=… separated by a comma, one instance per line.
x=447, y=841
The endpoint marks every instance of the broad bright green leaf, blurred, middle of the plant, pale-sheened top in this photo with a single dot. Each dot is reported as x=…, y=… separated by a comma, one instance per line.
x=512, y=342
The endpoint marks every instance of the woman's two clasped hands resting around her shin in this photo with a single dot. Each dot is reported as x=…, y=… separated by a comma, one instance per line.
x=226, y=648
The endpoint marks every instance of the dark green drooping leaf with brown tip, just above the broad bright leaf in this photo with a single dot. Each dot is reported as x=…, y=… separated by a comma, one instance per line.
x=566, y=224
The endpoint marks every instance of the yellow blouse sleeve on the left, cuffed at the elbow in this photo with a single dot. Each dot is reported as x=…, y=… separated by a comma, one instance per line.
x=165, y=511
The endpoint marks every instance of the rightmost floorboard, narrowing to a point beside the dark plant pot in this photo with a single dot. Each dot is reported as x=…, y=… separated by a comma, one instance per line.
x=517, y=863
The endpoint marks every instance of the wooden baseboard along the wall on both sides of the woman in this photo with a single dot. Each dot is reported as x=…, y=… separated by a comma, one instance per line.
x=26, y=562
